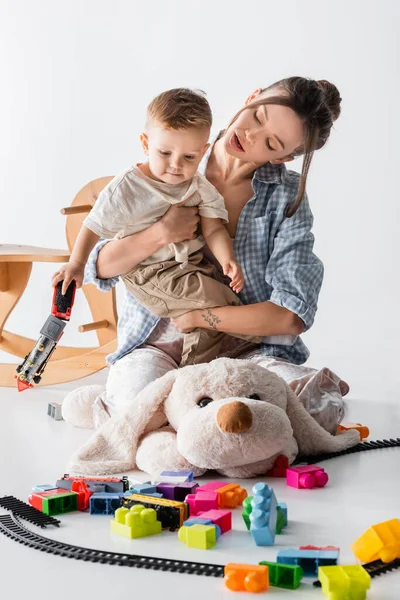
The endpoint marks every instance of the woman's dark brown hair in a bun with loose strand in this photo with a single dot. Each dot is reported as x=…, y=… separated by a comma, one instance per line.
x=317, y=103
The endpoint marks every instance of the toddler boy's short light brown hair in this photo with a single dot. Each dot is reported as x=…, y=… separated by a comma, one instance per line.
x=180, y=108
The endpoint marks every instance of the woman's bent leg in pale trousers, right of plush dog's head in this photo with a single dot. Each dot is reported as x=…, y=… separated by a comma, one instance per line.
x=320, y=392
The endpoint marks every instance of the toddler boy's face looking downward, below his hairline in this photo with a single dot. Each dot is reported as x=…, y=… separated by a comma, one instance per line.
x=174, y=155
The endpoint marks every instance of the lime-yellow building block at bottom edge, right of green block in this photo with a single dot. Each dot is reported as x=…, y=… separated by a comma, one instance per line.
x=346, y=582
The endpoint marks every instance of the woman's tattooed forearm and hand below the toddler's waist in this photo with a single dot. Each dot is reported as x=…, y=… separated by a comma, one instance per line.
x=261, y=319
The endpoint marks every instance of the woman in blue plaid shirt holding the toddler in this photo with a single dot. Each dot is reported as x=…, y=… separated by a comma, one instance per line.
x=270, y=221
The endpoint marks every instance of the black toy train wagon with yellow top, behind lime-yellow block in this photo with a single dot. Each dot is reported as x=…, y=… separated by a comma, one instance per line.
x=169, y=512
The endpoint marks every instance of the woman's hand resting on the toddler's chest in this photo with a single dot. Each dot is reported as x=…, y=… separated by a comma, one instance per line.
x=179, y=223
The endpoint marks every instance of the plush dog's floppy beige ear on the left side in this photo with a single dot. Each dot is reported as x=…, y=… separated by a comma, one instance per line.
x=112, y=449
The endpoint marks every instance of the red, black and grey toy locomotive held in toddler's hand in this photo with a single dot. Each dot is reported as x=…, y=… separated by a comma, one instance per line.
x=31, y=370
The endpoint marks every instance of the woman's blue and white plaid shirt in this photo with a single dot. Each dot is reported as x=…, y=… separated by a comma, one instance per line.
x=276, y=256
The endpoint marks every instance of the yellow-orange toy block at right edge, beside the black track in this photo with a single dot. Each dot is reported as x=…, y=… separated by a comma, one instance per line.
x=379, y=541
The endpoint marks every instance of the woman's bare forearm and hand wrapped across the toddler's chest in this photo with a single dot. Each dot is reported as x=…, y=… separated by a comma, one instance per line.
x=120, y=256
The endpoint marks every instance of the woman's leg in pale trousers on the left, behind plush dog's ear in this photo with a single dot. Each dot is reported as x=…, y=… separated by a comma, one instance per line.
x=91, y=406
